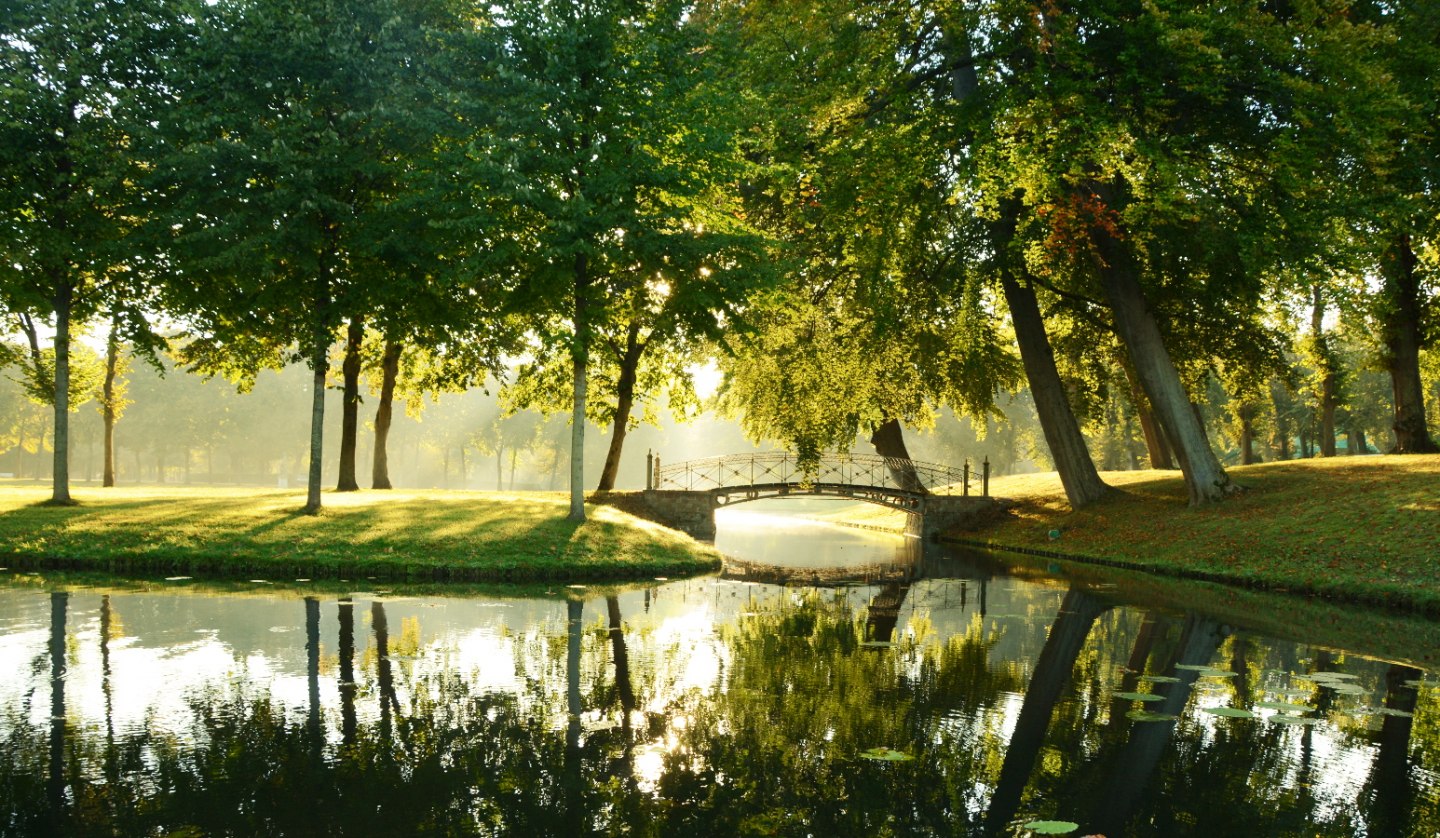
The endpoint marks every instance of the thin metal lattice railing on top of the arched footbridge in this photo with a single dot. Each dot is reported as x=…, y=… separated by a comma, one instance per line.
x=770, y=469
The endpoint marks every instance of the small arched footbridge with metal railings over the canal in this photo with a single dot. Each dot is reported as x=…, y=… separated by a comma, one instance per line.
x=937, y=497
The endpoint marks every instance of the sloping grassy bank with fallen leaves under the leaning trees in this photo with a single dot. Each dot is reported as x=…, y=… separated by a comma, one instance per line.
x=1363, y=529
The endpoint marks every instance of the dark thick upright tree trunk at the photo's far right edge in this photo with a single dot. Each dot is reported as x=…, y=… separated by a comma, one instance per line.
x=1402, y=330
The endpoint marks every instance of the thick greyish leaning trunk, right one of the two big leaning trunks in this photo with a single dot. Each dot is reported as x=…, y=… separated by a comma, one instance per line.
x=1205, y=477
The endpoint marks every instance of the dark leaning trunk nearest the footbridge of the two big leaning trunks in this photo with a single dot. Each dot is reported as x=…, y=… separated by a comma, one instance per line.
x=1058, y=421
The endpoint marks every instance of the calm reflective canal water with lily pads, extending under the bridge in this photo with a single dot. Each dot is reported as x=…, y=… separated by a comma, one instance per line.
x=947, y=695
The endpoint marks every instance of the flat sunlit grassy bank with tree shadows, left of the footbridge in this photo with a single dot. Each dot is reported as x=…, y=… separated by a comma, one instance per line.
x=402, y=535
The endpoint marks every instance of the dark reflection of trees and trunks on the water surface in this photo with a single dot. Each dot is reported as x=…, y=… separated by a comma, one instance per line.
x=773, y=747
